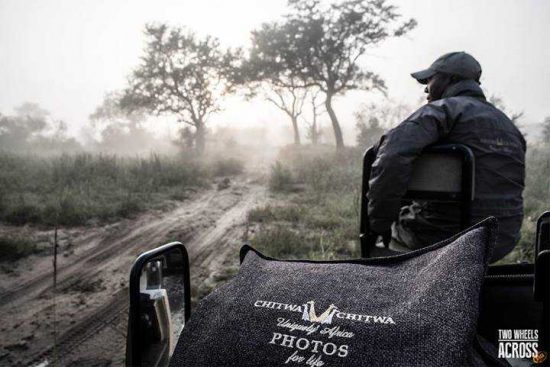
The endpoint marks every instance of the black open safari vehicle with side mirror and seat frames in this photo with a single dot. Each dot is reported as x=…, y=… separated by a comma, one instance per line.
x=514, y=296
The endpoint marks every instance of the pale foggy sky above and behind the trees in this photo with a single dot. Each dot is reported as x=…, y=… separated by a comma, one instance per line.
x=66, y=54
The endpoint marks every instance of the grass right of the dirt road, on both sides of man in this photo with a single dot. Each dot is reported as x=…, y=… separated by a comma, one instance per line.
x=322, y=222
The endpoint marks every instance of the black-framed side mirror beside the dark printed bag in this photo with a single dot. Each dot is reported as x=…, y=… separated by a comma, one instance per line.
x=160, y=304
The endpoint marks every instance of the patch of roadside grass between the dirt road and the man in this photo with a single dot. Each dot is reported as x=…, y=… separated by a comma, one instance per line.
x=315, y=205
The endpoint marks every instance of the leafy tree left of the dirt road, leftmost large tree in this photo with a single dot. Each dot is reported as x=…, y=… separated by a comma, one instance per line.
x=180, y=75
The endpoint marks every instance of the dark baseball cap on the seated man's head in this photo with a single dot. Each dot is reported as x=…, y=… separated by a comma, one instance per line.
x=455, y=63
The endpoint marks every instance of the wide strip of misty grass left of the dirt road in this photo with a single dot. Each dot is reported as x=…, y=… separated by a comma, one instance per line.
x=73, y=190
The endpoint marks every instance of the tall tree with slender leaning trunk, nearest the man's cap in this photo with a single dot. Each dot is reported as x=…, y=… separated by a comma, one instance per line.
x=322, y=45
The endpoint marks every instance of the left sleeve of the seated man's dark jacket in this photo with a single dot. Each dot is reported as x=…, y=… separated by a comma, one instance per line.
x=397, y=150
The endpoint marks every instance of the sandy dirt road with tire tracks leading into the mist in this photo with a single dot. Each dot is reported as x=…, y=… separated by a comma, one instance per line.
x=89, y=308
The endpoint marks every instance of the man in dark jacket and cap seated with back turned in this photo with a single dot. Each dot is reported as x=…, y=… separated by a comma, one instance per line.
x=456, y=112
